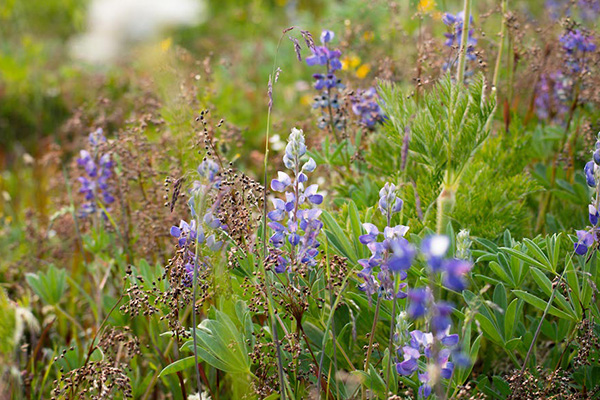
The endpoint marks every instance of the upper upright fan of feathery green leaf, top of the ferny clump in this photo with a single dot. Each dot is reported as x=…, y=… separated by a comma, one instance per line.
x=446, y=127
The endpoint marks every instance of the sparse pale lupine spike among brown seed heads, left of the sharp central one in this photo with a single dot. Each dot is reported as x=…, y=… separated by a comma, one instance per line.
x=191, y=234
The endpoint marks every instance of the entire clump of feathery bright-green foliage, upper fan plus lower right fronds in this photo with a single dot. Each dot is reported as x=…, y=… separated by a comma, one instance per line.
x=451, y=148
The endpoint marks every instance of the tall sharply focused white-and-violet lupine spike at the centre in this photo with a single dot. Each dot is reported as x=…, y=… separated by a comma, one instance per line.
x=295, y=220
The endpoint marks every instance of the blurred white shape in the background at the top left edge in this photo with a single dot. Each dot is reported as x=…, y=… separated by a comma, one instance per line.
x=113, y=25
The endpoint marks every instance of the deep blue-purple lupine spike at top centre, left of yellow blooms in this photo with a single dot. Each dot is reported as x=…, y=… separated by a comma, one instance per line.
x=327, y=83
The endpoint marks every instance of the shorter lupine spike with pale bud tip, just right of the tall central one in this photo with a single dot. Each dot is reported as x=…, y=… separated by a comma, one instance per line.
x=393, y=255
